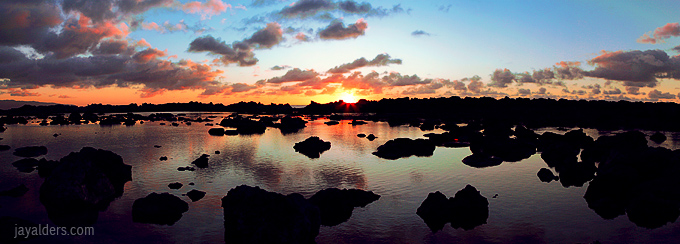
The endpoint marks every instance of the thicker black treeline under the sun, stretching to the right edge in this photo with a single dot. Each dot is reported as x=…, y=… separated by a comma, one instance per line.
x=534, y=113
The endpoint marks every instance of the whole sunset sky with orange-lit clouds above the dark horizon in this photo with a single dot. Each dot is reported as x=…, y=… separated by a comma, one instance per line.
x=276, y=51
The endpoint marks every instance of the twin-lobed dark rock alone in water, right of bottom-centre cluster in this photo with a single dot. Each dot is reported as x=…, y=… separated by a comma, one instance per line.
x=467, y=209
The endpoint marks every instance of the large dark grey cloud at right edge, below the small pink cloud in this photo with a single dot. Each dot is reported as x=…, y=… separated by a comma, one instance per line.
x=635, y=68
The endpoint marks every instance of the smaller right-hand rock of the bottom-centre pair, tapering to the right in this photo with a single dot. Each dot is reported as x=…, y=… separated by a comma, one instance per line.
x=336, y=205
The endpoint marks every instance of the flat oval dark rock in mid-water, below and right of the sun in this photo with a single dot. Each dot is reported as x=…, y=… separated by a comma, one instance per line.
x=404, y=148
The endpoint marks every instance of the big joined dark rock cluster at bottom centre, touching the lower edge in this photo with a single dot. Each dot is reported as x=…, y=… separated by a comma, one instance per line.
x=254, y=215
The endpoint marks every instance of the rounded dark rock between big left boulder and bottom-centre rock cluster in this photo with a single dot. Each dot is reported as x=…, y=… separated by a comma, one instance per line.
x=162, y=209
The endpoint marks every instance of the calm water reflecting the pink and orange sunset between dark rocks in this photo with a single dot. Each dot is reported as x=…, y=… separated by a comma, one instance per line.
x=526, y=209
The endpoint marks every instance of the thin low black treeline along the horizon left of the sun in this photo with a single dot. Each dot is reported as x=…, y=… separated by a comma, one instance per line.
x=241, y=107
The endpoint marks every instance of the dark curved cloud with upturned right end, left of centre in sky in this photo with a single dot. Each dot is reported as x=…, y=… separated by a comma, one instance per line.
x=239, y=52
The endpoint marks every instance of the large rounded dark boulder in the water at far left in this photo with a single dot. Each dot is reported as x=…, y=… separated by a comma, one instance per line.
x=82, y=184
